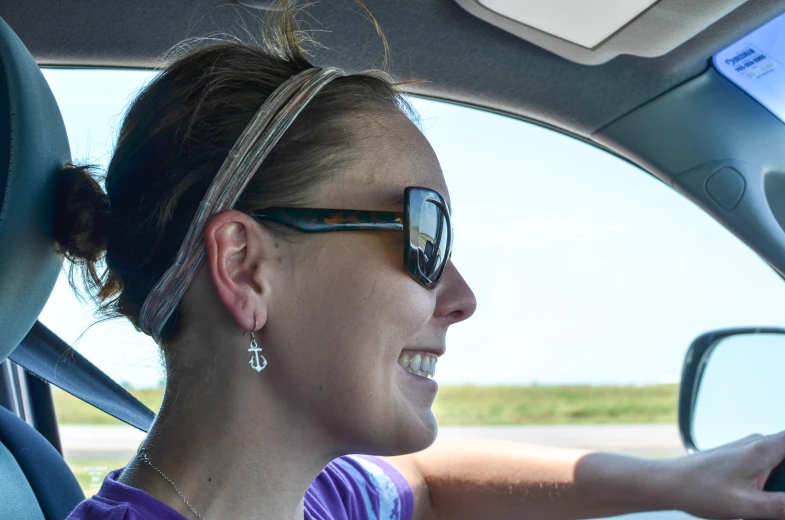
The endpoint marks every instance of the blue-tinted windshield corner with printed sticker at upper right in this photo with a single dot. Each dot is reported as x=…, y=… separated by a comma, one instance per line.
x=756, y=64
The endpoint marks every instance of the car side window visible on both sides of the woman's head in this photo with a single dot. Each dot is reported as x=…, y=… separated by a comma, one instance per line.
x=592, y=278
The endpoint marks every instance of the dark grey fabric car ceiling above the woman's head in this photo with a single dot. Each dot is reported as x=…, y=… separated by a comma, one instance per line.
x=461, y=58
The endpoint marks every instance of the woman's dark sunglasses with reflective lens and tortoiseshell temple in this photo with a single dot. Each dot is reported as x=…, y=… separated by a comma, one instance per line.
x=425, y=222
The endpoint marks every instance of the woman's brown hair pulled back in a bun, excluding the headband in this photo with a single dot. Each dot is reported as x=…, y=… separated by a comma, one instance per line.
x=173, y=140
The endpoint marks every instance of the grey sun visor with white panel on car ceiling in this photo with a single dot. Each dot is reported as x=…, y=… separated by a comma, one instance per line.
x=592, y=32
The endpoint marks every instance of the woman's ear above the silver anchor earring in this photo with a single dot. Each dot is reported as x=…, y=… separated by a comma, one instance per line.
x=238, y=252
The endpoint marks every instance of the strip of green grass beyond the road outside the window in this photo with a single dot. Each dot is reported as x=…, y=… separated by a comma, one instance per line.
x=480, y=405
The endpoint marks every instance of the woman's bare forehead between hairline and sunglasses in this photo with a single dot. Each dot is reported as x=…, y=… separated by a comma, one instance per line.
x=391, y=154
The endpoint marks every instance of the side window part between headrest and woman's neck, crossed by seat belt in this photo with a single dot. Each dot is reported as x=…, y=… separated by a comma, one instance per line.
x=92, y=103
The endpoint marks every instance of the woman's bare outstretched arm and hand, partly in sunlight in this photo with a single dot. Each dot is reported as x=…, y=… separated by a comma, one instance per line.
x=470, y=479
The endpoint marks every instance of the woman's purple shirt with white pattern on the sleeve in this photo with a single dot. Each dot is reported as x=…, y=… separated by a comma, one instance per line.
x=356, y=487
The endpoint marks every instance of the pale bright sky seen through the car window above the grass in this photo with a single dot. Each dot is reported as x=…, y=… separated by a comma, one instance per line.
x=587, y=270
